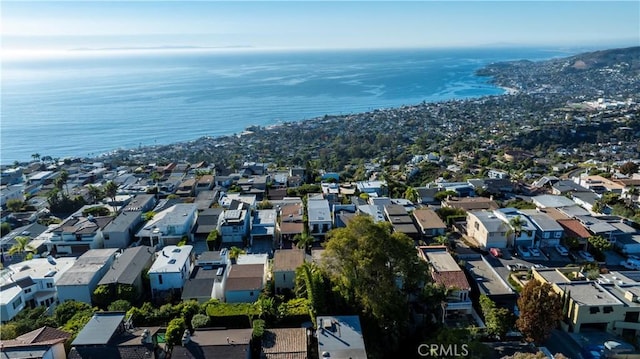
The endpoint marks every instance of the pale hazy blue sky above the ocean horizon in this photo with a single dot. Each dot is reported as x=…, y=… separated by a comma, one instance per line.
x=311, y=24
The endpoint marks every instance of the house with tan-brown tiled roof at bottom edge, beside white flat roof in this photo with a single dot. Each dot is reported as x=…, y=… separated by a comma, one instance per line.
x=285, y=343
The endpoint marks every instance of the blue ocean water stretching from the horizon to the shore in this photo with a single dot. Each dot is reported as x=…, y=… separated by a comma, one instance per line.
x=88, y=104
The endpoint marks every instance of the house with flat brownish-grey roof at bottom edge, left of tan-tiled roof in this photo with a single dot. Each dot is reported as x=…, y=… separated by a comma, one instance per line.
x=215, y=343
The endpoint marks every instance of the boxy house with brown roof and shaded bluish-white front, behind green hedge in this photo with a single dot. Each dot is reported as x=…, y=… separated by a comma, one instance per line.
x=244, y=283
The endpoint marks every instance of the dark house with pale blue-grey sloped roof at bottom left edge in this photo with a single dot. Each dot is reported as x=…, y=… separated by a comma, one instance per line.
x=110, y=335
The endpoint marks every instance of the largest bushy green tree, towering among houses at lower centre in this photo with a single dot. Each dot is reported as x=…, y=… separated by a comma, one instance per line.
x=375, y=269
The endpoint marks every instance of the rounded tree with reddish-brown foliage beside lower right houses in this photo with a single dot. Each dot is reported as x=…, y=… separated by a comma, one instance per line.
x=540, y=311
